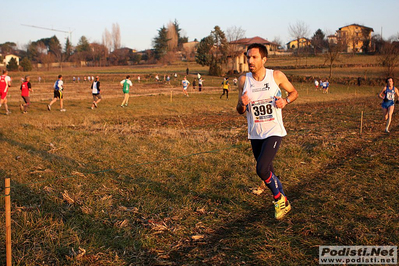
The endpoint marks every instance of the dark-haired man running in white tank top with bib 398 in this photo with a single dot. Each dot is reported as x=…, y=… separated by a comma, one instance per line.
x=260, y=98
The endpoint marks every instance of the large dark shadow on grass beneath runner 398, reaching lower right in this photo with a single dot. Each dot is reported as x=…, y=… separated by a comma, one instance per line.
x=322, y=214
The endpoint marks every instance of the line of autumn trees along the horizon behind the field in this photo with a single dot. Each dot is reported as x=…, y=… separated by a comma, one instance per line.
x=212, y=50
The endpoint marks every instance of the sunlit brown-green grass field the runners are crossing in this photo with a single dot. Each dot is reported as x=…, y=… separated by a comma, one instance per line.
x=168, y=181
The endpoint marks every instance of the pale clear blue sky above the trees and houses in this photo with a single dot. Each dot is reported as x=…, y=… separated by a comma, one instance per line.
x=140, y=20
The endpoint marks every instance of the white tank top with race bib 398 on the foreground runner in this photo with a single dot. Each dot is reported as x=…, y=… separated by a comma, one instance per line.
x=264, y=118
